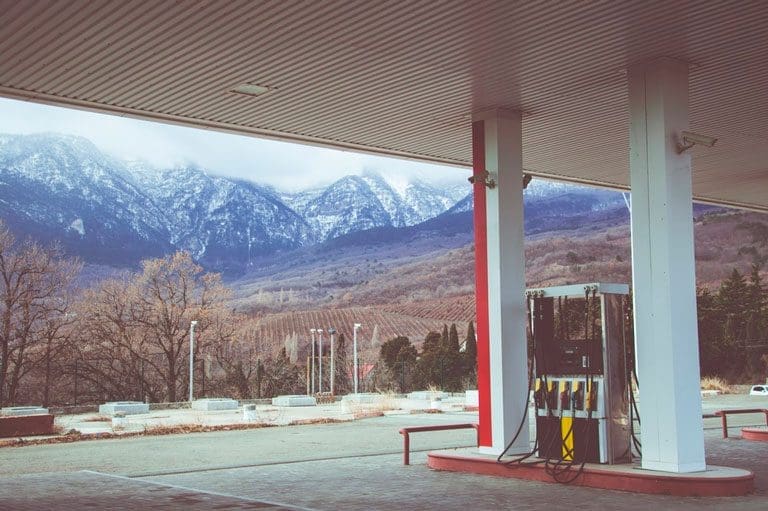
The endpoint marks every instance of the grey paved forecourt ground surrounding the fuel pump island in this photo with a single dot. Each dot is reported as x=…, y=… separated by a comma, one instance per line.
x=347, y=466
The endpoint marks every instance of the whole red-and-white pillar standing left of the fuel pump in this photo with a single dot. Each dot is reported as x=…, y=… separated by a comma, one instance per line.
x=500, y=286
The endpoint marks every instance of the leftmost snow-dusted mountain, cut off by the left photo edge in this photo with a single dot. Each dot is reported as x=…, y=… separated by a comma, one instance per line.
x=61, y=188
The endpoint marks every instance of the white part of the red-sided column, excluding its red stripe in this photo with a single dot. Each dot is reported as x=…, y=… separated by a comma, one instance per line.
x=506, y=281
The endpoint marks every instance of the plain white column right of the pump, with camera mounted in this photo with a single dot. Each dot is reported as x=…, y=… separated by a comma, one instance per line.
x=663, y=270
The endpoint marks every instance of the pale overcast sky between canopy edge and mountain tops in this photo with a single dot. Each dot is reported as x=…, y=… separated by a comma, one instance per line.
x=287, y=166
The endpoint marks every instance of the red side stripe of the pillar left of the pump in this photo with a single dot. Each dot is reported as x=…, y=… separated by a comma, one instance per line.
x=481, y=287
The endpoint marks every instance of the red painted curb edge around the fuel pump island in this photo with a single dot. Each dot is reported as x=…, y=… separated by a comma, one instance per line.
x=631, y=480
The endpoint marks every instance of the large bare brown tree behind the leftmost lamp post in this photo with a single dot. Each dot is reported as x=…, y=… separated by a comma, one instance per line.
x=137, y=329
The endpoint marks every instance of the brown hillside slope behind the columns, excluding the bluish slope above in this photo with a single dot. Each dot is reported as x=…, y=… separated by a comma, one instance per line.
x=564, y=258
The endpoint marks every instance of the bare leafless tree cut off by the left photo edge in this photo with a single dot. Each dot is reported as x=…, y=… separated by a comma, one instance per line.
x=34, y=307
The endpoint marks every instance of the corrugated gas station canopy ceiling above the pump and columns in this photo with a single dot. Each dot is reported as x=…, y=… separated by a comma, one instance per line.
x=403, y=78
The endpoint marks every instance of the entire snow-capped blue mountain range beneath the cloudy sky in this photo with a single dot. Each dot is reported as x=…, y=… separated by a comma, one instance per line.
x=62, y=188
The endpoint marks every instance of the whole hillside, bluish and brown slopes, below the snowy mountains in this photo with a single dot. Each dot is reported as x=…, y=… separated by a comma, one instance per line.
x=405, y=278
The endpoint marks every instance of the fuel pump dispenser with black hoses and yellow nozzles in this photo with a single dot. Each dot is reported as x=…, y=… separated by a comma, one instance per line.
x=581, y=384
